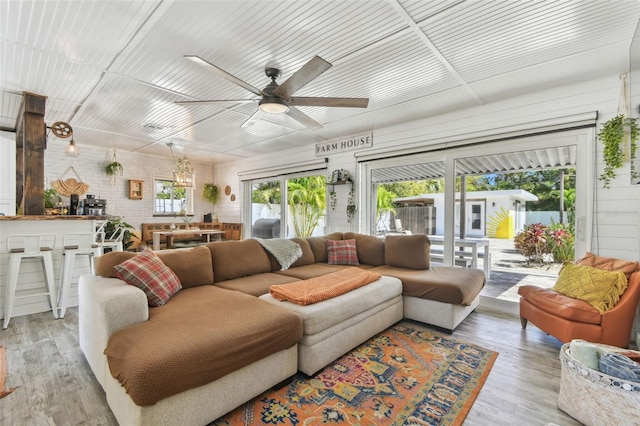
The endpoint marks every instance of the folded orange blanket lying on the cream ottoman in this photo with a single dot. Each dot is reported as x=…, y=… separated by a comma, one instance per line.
x=323, y=287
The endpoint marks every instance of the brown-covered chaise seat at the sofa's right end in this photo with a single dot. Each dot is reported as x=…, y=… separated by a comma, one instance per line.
x=457, y=286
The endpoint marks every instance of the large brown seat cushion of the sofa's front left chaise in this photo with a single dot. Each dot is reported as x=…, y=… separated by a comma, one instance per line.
x=202, y=334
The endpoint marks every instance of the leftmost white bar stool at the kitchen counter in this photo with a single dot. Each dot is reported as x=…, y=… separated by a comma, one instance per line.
x=29, y=247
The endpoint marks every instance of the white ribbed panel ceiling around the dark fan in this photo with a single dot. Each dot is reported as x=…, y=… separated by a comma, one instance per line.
x=113, y=69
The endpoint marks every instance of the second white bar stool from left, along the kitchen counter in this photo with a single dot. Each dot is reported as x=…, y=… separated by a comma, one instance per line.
x=74, y=245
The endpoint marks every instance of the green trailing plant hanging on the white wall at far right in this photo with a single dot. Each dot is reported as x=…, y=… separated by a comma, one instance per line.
x=612, y=135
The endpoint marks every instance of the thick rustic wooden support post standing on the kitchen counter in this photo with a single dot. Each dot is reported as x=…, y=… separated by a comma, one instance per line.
x=31, y=141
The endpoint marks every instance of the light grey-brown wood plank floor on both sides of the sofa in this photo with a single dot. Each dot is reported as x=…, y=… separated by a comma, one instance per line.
x=58, y=388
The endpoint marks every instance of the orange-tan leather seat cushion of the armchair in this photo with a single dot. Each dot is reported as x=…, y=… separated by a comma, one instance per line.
x=560, y=305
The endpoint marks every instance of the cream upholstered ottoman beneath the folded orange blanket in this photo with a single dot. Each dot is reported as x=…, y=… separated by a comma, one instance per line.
x=333, y=327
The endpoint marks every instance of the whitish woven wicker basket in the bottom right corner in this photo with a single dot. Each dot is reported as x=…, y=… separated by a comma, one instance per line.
x=595, y=398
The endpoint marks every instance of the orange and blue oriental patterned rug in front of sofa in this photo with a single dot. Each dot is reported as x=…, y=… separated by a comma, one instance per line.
x=401, y=376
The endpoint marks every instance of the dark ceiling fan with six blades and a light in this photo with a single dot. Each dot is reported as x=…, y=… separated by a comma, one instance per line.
x=276, y=98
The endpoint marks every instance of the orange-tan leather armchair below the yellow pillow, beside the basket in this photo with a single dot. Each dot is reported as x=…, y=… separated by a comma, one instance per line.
x=566, y=318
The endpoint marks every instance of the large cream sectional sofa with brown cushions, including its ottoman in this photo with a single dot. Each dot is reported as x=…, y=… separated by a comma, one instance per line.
x=224, y=285
